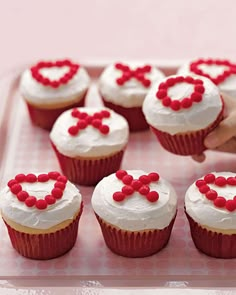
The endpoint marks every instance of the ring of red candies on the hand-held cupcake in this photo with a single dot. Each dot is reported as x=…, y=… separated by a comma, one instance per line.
x=186, y=102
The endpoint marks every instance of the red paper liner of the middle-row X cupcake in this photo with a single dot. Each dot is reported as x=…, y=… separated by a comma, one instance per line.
x=88, y=171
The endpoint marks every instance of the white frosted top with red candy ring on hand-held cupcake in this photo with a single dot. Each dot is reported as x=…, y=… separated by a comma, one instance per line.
x=182, y=103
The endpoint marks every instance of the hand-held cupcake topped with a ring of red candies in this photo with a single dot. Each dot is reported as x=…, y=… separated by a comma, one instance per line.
x=181, y=111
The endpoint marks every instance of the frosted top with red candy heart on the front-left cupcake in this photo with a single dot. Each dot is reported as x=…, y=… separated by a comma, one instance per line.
x=40, y=200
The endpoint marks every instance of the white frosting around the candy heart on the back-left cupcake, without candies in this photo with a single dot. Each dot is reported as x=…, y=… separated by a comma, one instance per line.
x=36, y=93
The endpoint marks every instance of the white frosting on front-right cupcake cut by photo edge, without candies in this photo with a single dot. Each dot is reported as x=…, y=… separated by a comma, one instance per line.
x=203, y=210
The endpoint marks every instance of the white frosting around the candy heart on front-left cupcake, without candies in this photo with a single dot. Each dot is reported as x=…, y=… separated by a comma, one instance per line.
x=64, y=208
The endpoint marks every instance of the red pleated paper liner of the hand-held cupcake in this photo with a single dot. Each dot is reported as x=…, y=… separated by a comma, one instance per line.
x=191, y=143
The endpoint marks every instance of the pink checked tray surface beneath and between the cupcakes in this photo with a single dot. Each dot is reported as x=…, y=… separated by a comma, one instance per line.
x=28, y=150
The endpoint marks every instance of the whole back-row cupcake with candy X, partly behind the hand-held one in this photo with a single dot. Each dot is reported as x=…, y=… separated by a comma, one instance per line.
x=123, y=88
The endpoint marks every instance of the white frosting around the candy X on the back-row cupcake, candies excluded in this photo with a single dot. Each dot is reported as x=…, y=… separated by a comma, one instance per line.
x=131, y=93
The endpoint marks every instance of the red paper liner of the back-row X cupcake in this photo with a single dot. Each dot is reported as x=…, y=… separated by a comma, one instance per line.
x=134, y=116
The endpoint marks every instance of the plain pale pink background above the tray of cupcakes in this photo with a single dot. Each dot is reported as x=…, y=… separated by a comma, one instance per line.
x=104, y=30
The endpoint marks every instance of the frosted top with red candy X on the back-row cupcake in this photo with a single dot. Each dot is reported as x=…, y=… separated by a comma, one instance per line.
x=126, y=84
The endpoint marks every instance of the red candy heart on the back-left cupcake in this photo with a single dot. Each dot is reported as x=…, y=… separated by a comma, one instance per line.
x=38, y=76
